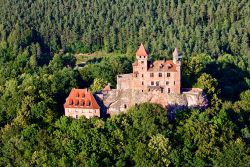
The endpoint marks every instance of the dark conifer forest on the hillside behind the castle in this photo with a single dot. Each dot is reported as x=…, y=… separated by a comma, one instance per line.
x=209, y=26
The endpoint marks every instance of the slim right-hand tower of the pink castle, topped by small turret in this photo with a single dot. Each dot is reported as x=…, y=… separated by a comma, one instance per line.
x=177, y=61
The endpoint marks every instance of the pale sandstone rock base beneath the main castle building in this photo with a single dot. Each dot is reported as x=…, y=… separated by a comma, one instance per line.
x=117, y=101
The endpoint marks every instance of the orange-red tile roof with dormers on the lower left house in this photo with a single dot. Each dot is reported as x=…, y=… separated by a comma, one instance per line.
x=81, y=98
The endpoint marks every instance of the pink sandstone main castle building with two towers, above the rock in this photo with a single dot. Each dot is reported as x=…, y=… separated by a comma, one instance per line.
x=156, y=75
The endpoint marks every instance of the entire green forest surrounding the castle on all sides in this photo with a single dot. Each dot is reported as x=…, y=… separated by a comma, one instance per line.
x=38, y=43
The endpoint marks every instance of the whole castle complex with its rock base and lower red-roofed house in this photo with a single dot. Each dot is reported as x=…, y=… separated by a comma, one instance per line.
x=151, y=81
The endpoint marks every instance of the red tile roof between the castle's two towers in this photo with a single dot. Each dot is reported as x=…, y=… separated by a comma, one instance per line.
x=162, y=65
